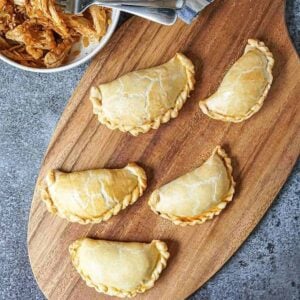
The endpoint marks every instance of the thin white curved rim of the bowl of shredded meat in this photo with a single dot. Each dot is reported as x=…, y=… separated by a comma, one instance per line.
x=102, y=43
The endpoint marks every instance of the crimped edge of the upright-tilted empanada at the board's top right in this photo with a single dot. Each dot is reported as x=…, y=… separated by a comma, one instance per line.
x=252, y=44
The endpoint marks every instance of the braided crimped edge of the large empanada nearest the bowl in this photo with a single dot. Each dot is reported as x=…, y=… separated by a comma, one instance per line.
x=96, y=99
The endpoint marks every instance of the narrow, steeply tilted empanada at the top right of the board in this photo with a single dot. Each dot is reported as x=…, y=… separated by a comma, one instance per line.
x=244, y=87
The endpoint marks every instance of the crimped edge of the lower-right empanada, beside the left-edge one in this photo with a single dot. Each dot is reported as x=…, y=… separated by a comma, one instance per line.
x=207, y=215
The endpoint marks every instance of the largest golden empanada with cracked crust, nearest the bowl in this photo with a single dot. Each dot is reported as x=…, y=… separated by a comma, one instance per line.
x=141, y=100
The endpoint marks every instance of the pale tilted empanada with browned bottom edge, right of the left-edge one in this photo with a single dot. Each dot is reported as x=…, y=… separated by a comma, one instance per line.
x=198, y=195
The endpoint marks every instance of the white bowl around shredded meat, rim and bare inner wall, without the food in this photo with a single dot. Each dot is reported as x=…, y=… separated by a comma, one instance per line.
x=85, y=53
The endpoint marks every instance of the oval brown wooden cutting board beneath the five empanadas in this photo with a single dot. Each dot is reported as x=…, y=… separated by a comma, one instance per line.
x=264, y=148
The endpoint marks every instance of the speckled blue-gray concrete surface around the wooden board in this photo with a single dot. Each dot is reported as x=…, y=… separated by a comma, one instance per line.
x=265, y=267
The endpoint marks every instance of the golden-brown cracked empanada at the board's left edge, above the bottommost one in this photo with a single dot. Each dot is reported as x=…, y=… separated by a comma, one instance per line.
x=95, y=195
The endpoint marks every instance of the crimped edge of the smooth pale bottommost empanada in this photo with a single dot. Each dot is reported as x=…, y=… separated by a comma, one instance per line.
x=161, y=264
